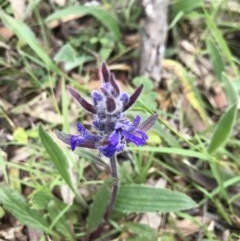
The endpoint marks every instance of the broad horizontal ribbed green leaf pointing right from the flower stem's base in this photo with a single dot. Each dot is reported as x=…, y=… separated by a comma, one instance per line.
x=140, y=198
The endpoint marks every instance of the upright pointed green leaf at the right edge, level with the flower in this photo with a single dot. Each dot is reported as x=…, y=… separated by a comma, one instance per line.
x=223, y=129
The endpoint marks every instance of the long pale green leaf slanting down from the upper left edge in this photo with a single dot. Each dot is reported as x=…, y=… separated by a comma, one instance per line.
x=25, y=34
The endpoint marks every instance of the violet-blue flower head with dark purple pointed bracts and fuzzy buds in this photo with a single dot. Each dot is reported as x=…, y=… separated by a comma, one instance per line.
x=113, y=130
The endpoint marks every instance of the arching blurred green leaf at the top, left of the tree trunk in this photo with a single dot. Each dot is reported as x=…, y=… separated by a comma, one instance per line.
x=102, y=15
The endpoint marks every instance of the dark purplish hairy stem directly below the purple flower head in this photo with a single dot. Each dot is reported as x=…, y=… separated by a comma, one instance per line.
x=115, y=187
